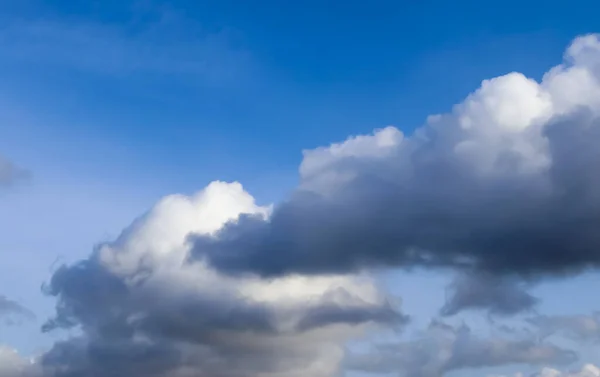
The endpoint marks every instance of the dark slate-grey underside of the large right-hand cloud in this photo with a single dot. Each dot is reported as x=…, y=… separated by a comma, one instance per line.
x=436, y=214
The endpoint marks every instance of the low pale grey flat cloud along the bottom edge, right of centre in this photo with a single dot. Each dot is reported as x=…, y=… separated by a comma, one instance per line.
x=444, y=348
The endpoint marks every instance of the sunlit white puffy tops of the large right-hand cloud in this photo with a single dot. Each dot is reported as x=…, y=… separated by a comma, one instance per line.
x=507, y=115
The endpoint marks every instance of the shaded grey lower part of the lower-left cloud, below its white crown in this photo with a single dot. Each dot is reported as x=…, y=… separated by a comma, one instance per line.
x=138, y=330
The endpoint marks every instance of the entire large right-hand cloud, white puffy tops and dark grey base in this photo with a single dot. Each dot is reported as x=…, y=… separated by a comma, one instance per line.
x=505, y=184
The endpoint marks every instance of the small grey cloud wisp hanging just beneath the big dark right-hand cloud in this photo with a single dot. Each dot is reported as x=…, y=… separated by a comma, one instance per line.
x=499, y=295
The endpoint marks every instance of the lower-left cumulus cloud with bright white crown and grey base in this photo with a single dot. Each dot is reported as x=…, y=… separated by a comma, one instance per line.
x=144, y=309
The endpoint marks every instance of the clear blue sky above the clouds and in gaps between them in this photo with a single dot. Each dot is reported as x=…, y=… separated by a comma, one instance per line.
x=114, y=104
